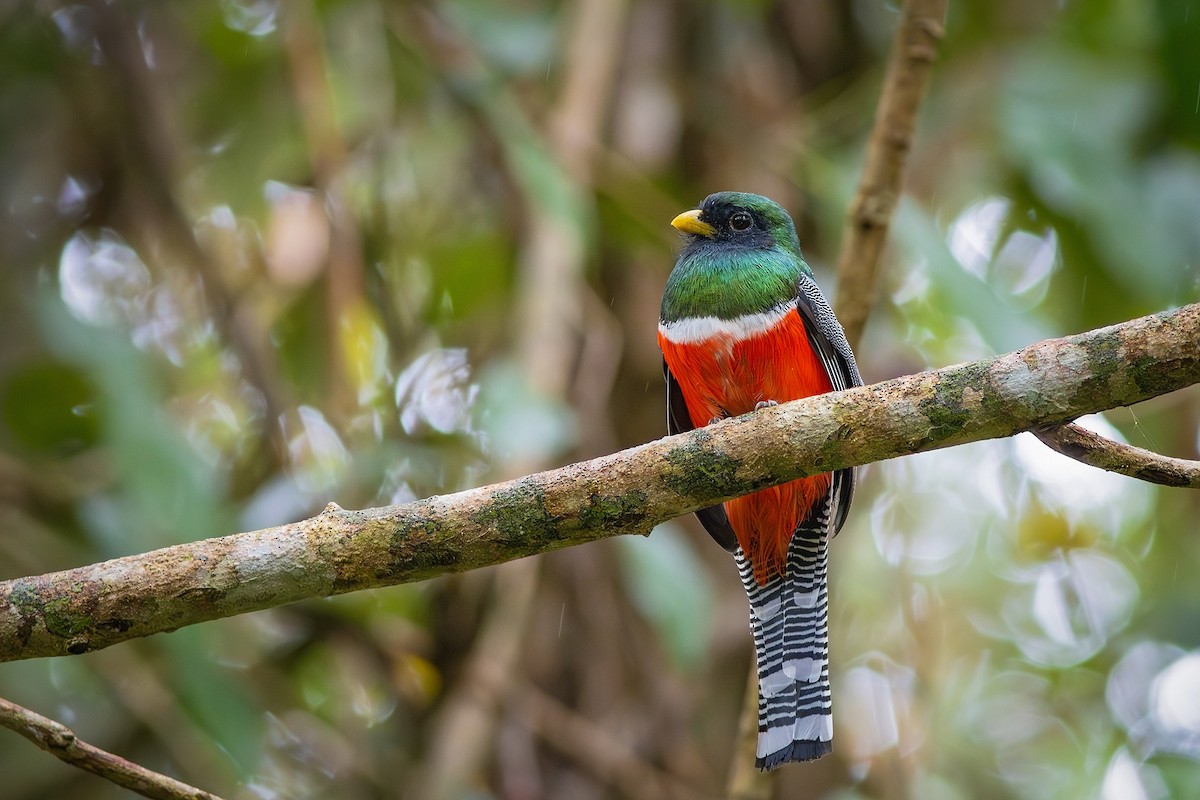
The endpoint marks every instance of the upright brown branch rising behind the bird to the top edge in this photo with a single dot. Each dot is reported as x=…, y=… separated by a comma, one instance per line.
x=914, y=52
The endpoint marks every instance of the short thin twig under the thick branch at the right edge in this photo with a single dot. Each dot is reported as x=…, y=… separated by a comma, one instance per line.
x=1095, y=450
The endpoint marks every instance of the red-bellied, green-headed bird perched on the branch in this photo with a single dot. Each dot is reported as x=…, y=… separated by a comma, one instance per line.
x=742, y=327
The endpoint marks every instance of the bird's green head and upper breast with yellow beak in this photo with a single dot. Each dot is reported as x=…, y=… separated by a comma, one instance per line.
x=741, y=257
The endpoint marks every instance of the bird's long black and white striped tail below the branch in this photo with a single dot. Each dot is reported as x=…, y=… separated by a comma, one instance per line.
x=791, y=637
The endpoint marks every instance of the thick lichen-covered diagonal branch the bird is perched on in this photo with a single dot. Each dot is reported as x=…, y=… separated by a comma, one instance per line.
x=629, y=492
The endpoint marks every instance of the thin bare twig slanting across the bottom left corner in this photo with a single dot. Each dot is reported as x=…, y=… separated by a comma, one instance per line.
x=62, y=743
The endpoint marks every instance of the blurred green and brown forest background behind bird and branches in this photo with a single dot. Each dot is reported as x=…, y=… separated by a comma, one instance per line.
x=261, y=256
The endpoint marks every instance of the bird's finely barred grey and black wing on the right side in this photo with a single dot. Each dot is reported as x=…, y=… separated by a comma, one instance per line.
x=829, y=341
